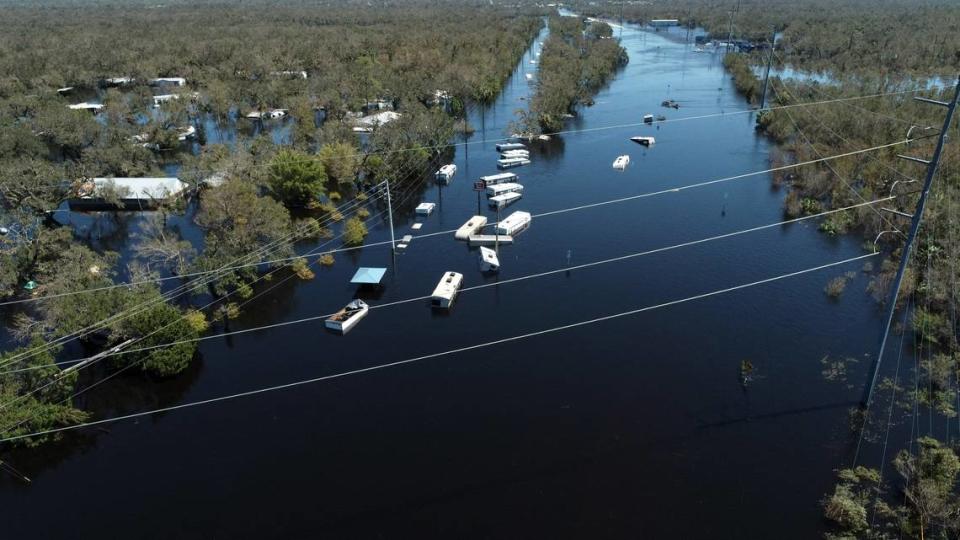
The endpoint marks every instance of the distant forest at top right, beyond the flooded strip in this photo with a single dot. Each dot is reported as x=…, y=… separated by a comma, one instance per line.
x=889, y=38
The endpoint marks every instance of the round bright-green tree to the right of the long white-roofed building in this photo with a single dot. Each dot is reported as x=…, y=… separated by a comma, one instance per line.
x=296, y=178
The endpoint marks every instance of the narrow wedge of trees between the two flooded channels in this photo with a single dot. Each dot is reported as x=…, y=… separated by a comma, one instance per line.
x=577, y=59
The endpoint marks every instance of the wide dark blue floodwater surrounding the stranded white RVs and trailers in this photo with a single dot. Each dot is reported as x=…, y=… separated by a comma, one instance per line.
x=637, y=426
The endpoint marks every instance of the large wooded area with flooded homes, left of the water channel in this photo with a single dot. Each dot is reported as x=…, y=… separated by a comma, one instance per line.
x=324, y=64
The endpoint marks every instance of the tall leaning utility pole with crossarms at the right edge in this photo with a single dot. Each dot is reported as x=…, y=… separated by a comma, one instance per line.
x=914, y=227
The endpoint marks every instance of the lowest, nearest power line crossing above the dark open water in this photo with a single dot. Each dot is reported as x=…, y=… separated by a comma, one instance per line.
x=510, y=339
